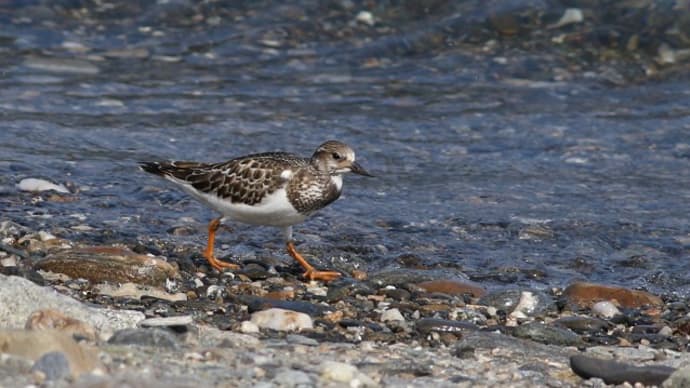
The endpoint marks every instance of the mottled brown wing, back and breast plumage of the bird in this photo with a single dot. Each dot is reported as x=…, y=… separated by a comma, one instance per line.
x=249, y=179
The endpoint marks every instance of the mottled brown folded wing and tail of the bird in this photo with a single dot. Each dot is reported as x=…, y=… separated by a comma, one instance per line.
x=243, y=180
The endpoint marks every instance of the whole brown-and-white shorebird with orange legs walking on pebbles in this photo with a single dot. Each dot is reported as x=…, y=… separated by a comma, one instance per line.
x=273, y=189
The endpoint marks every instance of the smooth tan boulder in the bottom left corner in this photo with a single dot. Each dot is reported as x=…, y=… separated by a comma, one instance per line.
x=33, y=344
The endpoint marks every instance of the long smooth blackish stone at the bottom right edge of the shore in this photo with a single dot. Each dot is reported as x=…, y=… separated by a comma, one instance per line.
x=613, y=372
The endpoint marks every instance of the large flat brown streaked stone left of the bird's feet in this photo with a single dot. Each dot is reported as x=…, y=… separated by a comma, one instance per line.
x=109, y=264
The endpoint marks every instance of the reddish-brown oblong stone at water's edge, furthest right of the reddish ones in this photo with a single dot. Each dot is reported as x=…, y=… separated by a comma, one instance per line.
x=585, y=294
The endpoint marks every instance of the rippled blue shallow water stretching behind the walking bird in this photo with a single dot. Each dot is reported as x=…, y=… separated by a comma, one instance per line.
x=510, y=178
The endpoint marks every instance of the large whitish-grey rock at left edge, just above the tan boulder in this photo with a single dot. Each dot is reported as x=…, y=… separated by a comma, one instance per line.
x=19, y=298
